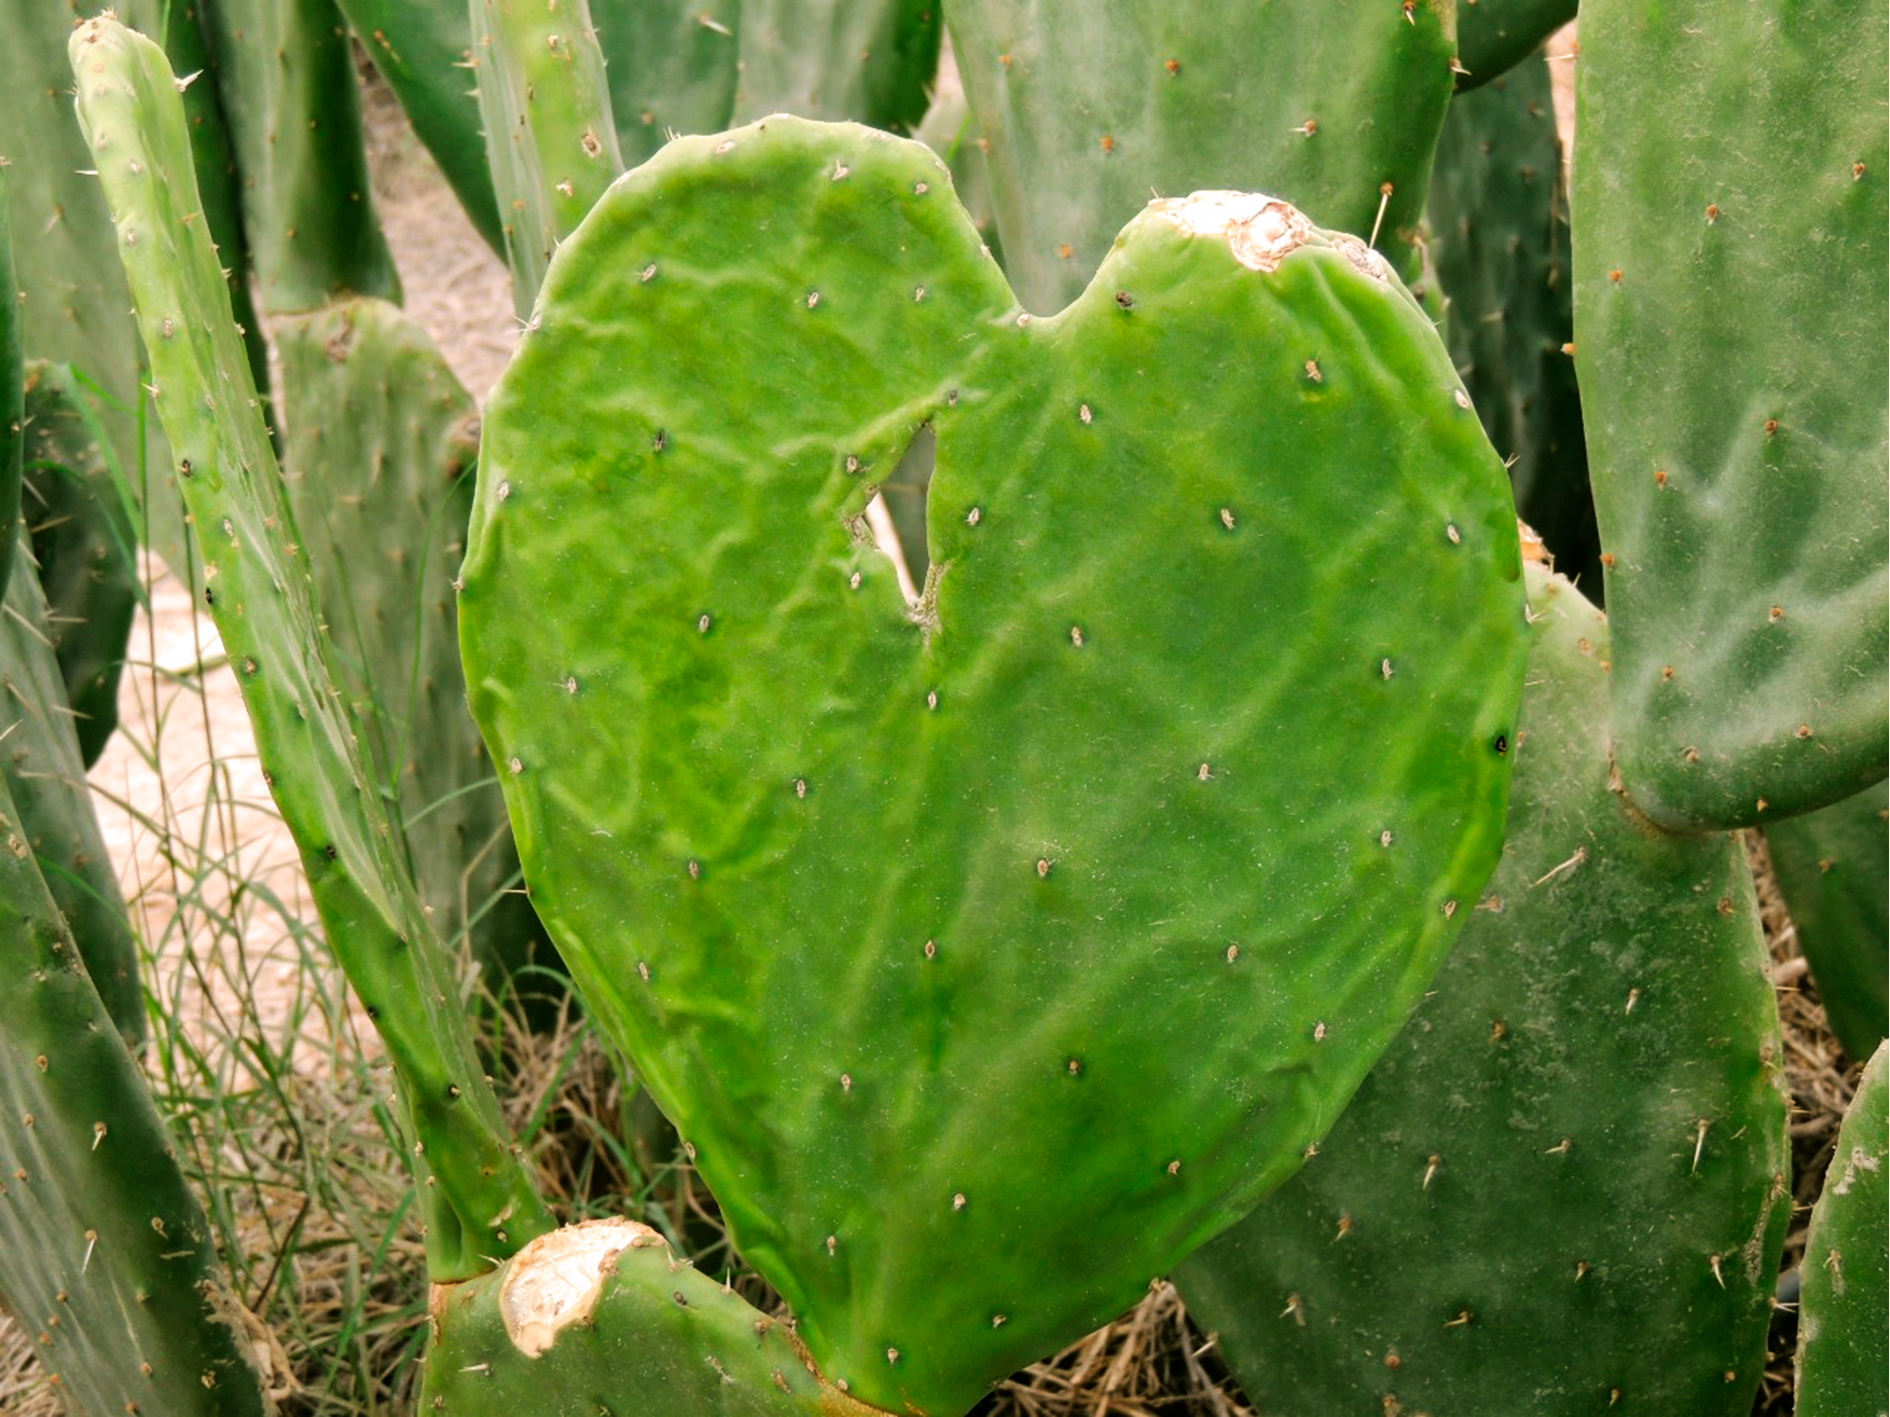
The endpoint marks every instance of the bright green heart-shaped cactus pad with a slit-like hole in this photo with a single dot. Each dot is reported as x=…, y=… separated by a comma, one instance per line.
x=989, y=949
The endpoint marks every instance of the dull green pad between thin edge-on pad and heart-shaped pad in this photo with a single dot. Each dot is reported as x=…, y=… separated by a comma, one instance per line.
x=379, y=468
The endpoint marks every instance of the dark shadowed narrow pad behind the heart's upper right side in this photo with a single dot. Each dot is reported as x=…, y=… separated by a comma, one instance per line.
x=1500, y=218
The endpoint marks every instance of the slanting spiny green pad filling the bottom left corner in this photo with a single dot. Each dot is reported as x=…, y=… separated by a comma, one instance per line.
x=105, y=1254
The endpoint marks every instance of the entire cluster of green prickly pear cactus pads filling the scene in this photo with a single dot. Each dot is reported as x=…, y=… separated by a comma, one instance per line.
x=1033, y=730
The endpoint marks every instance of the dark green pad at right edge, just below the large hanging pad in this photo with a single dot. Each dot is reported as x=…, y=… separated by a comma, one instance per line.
x=1834, y=874
